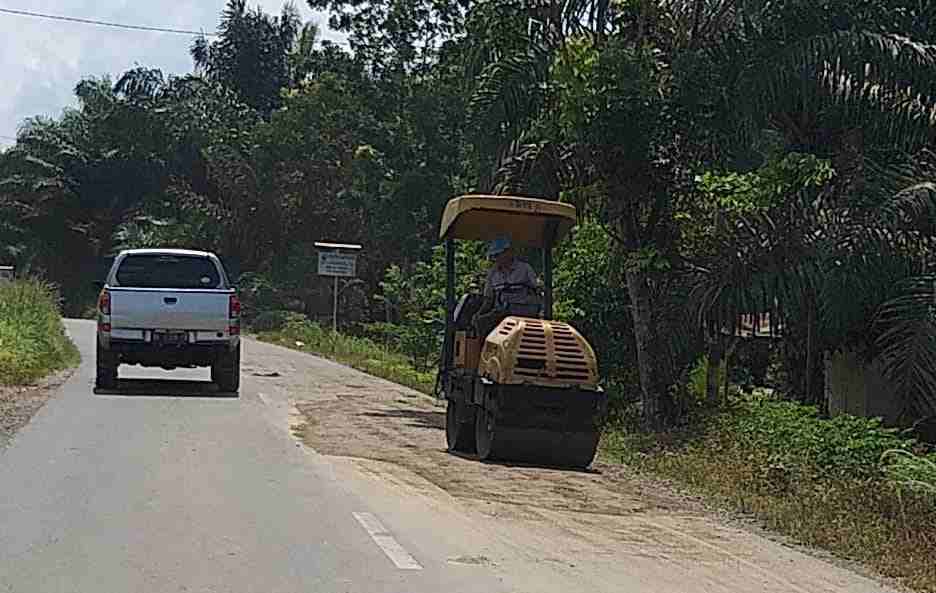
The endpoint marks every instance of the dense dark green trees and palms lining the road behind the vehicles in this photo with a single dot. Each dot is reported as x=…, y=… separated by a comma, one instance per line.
x=729, y=159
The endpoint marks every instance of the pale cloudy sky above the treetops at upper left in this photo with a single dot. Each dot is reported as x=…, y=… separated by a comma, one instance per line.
x=42, y=60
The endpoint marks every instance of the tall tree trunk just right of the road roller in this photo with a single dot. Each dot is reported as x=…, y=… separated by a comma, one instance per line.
x=638, y=288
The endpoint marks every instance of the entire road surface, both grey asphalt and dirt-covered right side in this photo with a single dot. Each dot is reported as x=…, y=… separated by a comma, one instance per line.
x=168, y=487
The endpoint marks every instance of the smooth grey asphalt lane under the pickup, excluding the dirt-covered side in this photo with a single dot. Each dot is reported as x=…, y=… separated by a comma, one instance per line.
x=169, y=487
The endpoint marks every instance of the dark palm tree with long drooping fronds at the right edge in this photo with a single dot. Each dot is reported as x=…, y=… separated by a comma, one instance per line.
x=863, y=98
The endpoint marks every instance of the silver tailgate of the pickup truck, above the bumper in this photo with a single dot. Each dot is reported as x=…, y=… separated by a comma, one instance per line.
x=155, y=308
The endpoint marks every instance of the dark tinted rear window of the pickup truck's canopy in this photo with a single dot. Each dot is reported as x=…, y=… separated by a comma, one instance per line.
x=167, y=271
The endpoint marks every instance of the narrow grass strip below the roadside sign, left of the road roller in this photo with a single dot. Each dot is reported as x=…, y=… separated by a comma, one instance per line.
x=360, y=353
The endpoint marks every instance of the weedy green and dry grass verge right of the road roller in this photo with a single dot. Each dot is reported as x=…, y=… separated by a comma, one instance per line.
x=845, y=485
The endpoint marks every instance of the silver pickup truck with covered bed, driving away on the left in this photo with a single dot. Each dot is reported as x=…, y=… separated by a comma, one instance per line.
x=168, y=308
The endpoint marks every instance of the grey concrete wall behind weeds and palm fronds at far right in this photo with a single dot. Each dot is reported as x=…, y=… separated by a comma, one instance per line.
x=858, y=388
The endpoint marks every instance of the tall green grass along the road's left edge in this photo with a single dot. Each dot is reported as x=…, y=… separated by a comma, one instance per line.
x=32, y=338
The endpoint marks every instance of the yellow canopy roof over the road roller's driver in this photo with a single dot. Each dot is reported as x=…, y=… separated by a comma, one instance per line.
x=527, y=221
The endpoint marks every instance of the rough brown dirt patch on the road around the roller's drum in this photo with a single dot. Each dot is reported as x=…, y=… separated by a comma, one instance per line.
x=410, y=432
